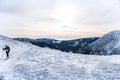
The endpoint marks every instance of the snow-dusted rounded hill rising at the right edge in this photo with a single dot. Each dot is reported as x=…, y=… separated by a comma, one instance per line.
x=109, y=44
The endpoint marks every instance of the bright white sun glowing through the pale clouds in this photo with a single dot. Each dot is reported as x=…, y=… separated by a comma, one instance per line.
x=65, y=13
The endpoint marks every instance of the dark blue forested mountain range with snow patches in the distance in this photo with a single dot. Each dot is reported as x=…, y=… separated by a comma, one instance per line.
x=66, y=45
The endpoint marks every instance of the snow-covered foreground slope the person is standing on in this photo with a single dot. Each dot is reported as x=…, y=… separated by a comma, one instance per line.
x=29, y=62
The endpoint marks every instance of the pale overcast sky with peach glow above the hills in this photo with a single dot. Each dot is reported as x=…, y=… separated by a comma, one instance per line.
x=61, y=19
